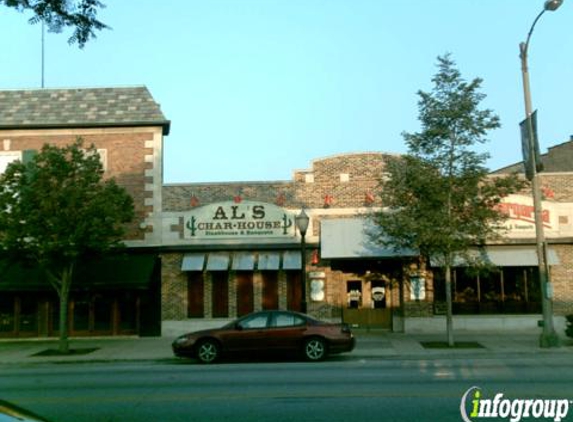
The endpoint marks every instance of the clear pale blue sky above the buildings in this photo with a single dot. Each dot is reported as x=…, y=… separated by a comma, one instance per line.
x=256, y=89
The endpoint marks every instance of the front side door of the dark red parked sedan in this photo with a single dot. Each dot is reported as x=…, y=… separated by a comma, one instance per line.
x=248, y=334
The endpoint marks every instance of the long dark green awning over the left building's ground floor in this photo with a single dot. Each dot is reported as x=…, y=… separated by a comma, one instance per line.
x=133, y=271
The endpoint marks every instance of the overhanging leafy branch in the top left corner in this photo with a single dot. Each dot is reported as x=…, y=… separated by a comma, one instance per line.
x=58, y=14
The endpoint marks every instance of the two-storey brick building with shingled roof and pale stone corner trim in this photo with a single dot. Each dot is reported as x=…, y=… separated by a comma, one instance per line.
x=127, y=127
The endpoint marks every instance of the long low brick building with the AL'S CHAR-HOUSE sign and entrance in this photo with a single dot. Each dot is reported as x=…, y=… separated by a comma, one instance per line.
x=222, y=259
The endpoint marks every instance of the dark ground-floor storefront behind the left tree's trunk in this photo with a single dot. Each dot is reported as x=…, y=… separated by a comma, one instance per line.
x=113, y=296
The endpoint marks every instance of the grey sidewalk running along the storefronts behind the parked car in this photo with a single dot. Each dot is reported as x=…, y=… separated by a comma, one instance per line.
x=369, y=345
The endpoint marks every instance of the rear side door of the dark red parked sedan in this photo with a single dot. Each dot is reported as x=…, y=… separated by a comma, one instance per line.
x=286, y=332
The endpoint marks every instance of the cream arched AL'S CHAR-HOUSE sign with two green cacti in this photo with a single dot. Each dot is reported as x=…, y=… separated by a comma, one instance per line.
x=247, y=219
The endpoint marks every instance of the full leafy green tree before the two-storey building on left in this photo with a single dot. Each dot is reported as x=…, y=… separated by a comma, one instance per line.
x=57, y=209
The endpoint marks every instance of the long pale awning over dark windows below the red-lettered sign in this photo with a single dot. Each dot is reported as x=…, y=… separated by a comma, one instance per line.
x=504, y=256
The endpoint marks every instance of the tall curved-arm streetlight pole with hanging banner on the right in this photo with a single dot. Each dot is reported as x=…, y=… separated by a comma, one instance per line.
x=548, y=336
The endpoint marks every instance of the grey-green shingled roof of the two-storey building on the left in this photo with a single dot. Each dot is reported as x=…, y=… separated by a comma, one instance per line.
x=80, y=107
